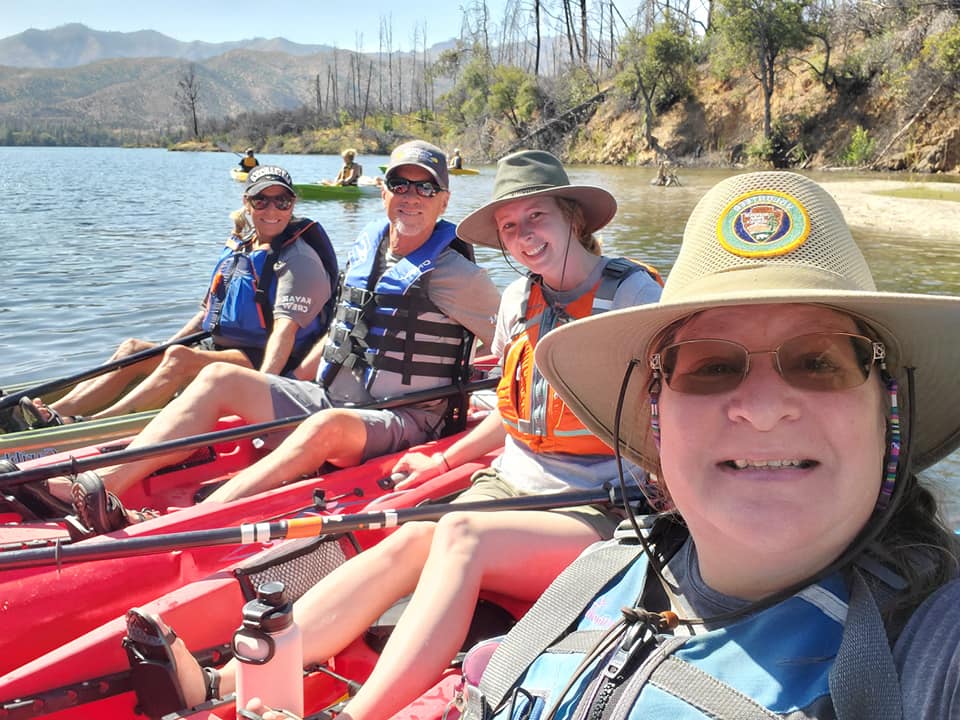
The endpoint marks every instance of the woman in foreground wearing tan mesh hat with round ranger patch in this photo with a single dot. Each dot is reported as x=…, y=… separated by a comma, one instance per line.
x=800, y=570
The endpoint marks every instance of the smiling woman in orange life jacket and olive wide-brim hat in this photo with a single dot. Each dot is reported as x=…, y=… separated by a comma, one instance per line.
x=546, y=224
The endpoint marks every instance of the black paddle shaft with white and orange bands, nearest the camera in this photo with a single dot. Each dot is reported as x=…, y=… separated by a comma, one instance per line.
x=111, y=548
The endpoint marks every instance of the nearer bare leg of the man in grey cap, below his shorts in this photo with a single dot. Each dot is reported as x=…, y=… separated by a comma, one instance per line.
x=337, y=436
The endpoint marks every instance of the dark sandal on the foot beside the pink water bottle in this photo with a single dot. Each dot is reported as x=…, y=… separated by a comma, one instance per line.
x=153, y=667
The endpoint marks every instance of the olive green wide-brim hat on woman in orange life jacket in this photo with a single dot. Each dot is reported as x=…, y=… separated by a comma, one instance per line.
x=533, y=173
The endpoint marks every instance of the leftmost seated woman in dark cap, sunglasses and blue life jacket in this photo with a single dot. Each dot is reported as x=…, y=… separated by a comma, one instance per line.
x=290, y=258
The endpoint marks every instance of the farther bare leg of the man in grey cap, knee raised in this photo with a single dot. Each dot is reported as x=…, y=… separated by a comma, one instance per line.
x=220, y=389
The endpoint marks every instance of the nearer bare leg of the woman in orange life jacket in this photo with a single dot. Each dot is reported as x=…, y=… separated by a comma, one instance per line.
x=469, y=551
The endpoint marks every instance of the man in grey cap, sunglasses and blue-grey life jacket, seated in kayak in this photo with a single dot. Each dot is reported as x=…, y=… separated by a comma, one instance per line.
x=408, y=291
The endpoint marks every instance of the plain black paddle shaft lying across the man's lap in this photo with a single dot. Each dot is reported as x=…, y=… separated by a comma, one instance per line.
x=76, y=465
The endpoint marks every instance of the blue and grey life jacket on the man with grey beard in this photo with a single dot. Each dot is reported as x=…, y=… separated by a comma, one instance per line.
x=384, y=320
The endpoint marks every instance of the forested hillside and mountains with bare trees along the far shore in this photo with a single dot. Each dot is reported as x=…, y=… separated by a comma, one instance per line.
x=784, y=82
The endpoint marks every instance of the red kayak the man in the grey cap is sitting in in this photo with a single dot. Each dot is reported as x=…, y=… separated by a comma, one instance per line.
x=97, y=591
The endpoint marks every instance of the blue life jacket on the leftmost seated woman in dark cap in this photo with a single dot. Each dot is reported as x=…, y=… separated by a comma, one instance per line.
x=243, y=289
